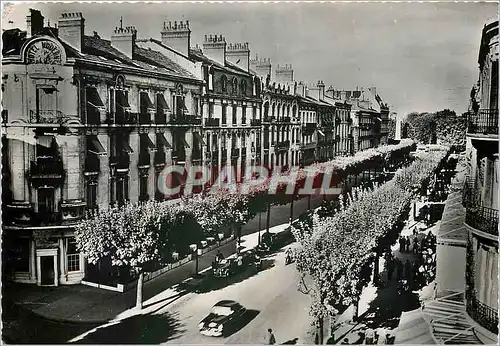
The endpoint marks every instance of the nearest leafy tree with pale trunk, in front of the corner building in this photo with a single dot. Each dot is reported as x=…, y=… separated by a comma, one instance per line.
x=133, y=235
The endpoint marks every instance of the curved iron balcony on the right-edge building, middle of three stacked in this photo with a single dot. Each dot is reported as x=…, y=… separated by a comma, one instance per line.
x=477, y=216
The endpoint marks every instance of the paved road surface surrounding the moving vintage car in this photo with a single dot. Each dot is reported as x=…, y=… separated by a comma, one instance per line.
x=271, y=296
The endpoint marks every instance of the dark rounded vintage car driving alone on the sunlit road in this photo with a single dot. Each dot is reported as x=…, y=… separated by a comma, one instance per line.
x=224, y=317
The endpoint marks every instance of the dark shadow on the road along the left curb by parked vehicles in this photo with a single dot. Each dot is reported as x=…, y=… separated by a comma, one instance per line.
x=210, y=283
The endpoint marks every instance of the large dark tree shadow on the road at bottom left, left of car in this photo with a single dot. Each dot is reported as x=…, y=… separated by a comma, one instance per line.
x=138, y=329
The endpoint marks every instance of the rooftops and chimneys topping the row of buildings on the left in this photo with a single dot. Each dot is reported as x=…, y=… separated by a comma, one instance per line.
x=94, y=49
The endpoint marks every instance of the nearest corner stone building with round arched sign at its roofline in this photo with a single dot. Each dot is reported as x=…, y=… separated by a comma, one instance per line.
x=87, y=122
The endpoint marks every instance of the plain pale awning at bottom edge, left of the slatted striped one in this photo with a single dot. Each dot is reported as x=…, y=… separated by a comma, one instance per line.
x=413, y=329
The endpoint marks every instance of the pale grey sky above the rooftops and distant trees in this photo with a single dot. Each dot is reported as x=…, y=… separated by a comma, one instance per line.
x=420, y=56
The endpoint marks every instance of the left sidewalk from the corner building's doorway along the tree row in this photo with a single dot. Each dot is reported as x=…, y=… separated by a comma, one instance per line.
x=85, y=304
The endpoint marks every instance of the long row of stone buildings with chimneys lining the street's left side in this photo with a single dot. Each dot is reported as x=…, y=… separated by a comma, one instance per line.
x=88, y=122
